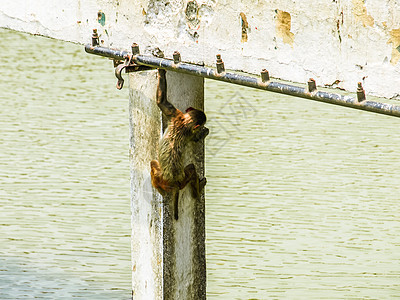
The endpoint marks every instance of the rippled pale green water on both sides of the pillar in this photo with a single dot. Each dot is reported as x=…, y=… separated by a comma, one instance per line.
x=302, y=198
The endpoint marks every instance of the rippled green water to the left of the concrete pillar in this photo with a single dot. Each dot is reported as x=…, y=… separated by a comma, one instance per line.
x=64, y=175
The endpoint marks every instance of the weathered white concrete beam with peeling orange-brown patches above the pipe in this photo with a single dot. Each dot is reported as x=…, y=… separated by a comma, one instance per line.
x=337, y=42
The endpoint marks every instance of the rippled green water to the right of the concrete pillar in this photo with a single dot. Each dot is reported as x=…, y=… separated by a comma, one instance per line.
x=302, y=199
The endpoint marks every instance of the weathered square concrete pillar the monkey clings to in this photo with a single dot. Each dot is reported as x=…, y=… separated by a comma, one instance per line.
x=168, y=256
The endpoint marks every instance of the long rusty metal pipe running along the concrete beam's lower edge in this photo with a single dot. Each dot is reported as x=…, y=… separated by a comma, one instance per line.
x=276, y=87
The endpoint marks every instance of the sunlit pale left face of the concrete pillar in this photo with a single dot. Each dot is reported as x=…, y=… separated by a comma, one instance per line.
x=146, y=206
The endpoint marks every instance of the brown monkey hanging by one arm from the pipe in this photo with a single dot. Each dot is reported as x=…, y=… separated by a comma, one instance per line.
x=168, y=175
